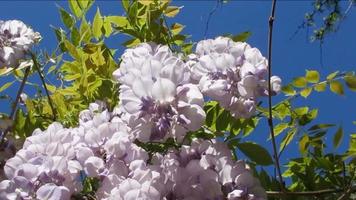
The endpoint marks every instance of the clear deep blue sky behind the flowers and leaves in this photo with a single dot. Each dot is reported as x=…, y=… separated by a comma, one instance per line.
x=290, y=56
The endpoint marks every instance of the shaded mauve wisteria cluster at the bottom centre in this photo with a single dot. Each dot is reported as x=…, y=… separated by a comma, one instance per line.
x=205, y=170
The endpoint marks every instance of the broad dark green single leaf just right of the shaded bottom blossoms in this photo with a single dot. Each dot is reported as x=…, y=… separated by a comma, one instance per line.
x=256, y=153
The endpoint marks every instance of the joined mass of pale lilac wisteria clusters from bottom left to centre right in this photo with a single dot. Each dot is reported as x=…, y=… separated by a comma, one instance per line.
x=161, y=97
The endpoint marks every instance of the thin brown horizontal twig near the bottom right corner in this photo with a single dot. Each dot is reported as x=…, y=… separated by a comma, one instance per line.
x=309, y=193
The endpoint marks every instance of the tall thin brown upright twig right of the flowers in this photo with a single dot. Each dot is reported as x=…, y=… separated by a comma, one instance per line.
x=270, y=117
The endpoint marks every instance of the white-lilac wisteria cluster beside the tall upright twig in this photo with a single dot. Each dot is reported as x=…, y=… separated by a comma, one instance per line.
x=232, y=73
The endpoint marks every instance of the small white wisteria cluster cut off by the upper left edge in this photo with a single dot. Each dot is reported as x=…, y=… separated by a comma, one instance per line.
x=16, y=38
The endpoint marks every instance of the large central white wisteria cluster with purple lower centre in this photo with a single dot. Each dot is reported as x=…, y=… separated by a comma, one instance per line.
x=156, y=95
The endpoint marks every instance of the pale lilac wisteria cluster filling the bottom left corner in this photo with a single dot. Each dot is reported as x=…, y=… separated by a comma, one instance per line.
x=45, y=167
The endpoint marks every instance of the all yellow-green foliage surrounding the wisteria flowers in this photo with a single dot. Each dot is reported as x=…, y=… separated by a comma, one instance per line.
x=80, y=72
